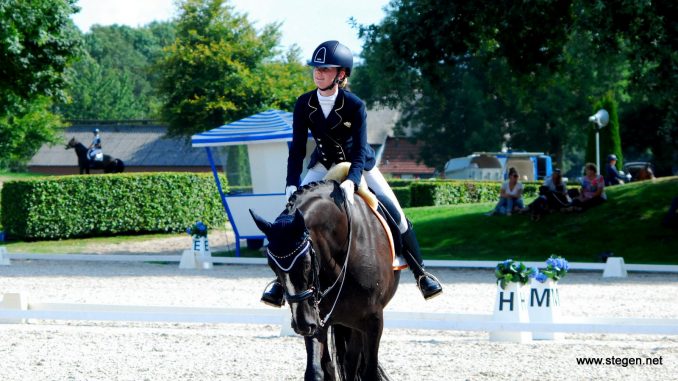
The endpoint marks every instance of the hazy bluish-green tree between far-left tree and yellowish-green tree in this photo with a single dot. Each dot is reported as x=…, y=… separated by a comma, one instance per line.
x=115, y=77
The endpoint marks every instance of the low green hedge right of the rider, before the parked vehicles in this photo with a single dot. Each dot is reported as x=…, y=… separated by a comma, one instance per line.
x=435, y=193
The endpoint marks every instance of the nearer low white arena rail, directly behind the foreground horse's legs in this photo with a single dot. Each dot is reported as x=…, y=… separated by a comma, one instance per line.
x=18, y=312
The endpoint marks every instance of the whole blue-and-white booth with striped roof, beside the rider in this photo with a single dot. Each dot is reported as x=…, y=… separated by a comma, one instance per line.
x=267, y=135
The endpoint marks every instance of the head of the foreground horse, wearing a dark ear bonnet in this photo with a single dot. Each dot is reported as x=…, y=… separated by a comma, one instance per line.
x=291, y=256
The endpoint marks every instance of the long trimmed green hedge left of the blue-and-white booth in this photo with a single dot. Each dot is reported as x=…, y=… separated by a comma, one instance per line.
x=80, y=206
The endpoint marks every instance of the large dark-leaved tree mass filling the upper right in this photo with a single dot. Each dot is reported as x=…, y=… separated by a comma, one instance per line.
x=540, y=65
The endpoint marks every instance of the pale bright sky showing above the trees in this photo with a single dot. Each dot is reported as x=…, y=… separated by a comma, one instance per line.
x=306, y=23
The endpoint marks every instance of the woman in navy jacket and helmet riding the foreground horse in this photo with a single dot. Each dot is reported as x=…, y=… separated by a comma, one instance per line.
x=337, y=121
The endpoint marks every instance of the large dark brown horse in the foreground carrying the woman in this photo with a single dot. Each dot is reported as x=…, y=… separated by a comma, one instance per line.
x=333, y=260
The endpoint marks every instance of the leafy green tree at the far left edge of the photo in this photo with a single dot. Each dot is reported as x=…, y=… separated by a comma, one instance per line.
x=37, y=42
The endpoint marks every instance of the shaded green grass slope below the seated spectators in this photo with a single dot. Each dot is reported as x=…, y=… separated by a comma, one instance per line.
x=628, y=224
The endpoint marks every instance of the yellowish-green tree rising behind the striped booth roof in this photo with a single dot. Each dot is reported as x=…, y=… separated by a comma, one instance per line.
x=221, y=69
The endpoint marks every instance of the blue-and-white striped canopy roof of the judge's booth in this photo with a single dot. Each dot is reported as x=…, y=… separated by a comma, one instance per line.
x=264, y=127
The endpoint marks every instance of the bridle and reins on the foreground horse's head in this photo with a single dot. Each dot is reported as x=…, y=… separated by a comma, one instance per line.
x=306, y=248
